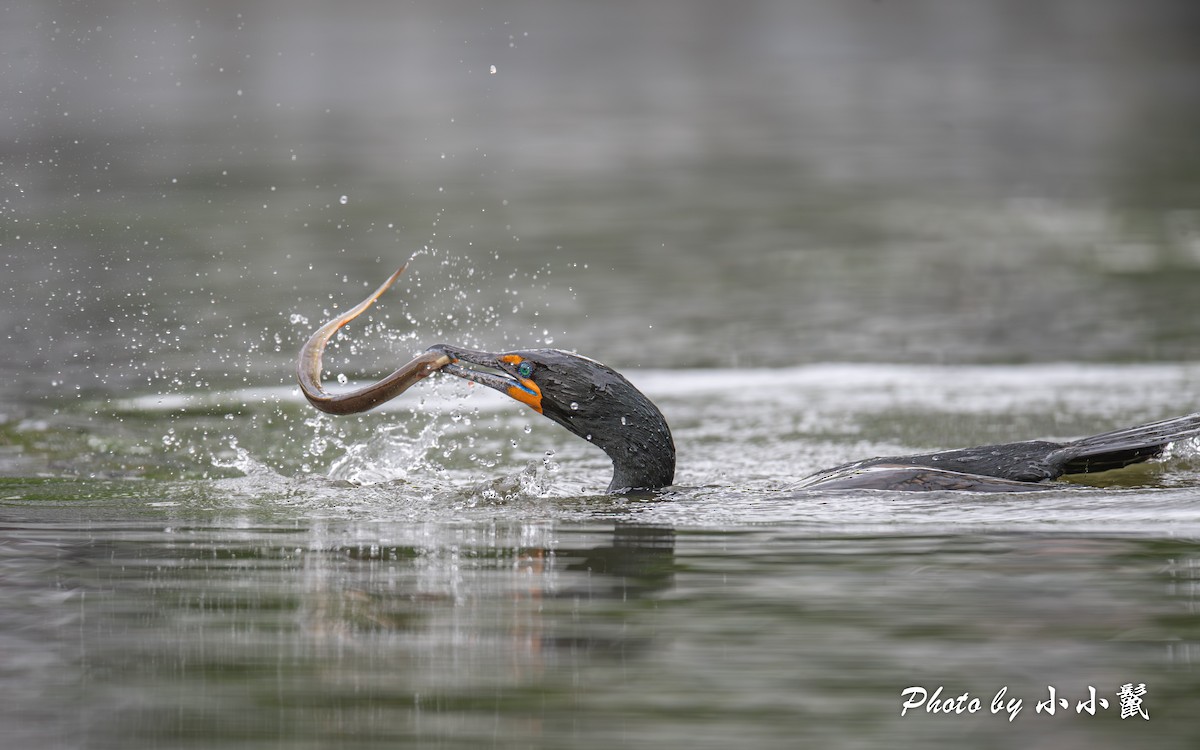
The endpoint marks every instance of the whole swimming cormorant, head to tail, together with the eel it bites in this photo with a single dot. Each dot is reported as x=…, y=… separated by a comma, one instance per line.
x=599, y=405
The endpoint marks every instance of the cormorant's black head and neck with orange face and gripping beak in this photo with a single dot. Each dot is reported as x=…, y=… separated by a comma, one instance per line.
x=591, y=400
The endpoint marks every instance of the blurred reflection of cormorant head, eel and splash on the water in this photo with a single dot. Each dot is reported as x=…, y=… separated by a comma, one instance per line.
x=464, y=596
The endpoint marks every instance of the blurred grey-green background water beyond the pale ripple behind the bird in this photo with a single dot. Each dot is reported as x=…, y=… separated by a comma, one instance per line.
x=187, y=189
